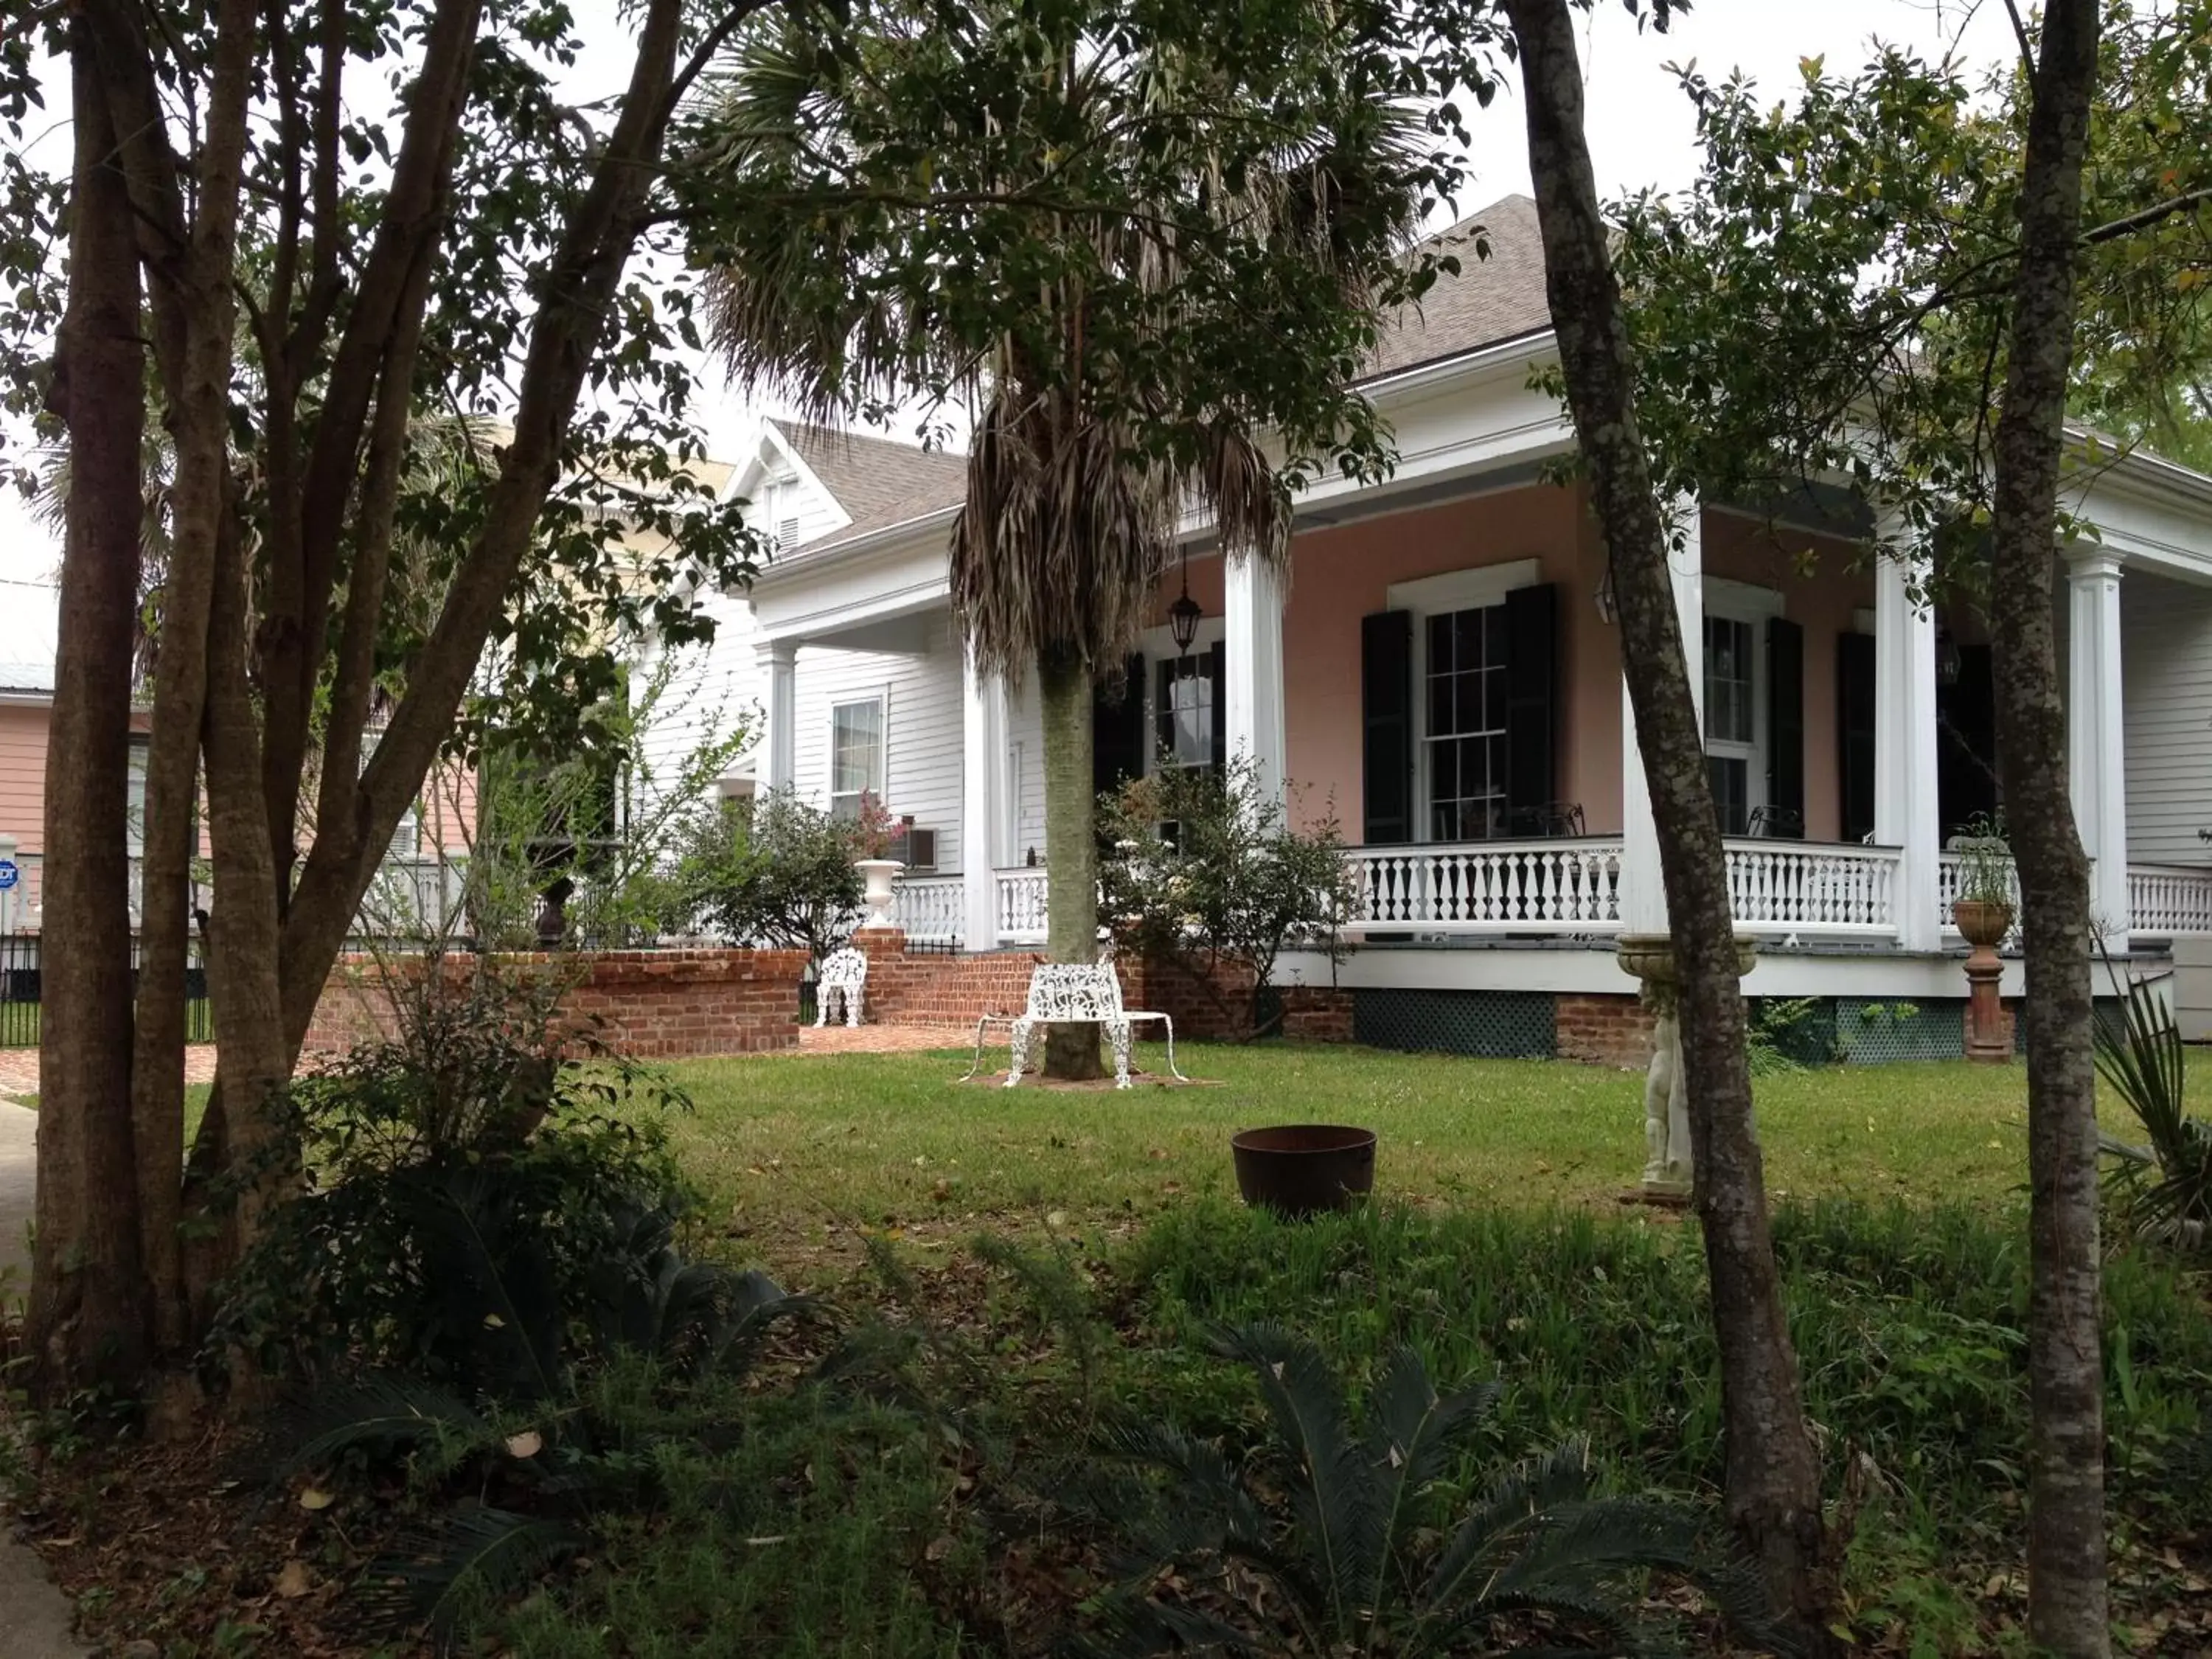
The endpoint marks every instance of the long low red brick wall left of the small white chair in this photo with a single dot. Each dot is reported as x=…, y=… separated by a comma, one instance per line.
x=651, y=1005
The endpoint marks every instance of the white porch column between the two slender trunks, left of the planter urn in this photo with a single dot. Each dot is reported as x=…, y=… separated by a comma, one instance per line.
x=1906, y=747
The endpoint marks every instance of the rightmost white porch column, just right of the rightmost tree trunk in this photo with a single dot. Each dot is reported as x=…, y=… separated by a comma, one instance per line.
x=2096, y=738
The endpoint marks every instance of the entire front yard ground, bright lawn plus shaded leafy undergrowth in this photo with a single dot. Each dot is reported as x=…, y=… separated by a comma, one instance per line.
x=917, y=1472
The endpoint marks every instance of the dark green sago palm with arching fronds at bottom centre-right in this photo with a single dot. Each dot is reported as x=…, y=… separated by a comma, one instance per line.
x=1335, y=1538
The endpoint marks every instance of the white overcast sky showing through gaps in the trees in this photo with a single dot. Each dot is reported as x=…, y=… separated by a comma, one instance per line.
x=1640, y=125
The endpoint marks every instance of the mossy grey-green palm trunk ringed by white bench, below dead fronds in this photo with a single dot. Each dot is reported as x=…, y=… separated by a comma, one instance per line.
x=1072, y=851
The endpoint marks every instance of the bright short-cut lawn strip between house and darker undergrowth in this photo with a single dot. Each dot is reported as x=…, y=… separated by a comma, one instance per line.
x=893, y=1140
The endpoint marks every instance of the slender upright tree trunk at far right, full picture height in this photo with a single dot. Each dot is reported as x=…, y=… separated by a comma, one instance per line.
x=2067, y=1552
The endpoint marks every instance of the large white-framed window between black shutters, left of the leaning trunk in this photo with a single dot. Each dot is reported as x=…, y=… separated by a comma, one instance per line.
x=1461, y=651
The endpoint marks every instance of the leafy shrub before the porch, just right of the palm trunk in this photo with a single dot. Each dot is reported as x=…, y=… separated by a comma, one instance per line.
x=1231, y=881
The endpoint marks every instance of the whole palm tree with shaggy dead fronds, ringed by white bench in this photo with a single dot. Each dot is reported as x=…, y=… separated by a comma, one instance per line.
x=1142, y=251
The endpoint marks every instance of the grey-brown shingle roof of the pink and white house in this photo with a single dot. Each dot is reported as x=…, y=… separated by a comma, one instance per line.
x=884, y=483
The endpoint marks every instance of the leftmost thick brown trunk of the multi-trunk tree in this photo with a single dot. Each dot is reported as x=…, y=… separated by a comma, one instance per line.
x=90, y=1317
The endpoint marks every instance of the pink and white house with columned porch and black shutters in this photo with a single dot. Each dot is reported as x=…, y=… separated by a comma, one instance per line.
x=1441, y=671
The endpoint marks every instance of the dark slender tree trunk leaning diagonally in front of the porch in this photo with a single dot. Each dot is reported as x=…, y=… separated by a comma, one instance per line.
x=1773, y=1477
